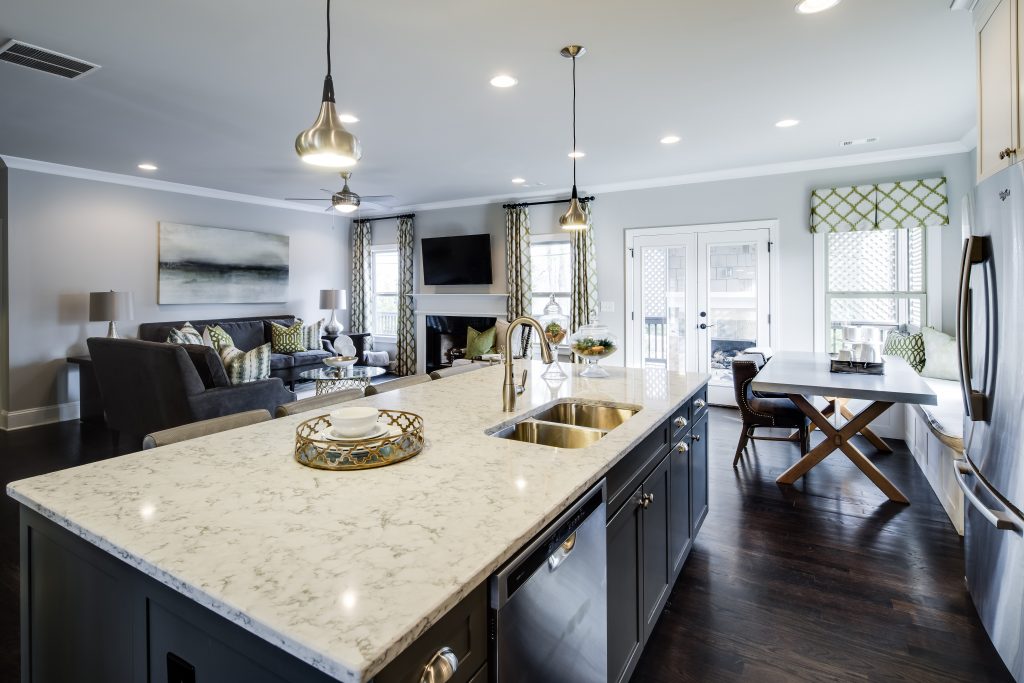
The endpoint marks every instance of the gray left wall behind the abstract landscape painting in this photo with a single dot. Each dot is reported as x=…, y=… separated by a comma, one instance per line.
x=69, y=237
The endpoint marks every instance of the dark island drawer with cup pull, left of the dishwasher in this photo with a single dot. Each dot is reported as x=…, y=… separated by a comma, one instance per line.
x=464, y=630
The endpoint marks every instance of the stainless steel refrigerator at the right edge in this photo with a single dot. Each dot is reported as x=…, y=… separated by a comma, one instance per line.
x=991, y=334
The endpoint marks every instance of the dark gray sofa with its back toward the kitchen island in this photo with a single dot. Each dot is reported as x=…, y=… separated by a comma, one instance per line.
x=150, y=387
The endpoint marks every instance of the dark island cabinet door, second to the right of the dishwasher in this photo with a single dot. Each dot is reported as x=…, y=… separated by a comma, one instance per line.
x=657, y=564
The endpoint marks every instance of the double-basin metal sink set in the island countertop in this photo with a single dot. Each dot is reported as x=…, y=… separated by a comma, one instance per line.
x=569, y=423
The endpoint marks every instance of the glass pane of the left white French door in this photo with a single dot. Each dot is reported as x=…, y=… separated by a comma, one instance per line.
x=663, y=308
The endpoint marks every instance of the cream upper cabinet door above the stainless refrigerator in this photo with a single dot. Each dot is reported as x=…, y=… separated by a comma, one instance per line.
x=998, y=92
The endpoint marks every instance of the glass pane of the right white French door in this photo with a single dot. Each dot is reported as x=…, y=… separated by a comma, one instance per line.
x=733, y=306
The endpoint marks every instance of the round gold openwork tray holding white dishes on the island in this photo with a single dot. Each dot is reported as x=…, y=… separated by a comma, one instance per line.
x=388, y=450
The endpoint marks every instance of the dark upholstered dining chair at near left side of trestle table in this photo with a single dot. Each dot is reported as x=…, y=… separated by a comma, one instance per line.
x=765, y=411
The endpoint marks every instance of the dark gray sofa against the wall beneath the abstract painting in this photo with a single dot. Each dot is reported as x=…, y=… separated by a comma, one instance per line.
x=248, y=333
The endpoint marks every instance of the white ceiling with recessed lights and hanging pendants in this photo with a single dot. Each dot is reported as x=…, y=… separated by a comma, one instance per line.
x=216, y=93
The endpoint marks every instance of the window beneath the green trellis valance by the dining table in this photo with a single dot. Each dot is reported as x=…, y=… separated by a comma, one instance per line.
x=875, y=279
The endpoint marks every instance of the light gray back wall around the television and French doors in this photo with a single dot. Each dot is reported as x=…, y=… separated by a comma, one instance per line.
x=785, y=198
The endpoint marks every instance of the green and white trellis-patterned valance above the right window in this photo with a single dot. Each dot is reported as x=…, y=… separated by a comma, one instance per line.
x=886, y=206
